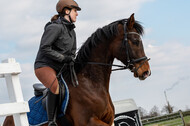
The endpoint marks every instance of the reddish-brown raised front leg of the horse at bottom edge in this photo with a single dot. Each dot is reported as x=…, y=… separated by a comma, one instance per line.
x=96, y=122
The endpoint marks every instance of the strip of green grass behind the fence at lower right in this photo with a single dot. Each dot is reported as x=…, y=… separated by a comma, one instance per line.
x=174, y=122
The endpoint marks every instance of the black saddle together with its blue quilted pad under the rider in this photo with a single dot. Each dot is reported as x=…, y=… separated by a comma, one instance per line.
x=37, y=104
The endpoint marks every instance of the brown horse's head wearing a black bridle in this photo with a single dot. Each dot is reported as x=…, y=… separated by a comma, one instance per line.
x=128, y=48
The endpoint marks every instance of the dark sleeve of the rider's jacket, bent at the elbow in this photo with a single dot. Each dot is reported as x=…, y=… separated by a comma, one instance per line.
x=49, y=36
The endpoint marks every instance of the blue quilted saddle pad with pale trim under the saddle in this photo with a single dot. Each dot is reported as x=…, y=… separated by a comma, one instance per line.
x=38, y=115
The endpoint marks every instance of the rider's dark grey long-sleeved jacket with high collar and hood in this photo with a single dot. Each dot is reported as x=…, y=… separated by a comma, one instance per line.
x=58, y=39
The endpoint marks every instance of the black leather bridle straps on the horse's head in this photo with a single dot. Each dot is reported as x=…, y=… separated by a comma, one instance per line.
x=130, y=61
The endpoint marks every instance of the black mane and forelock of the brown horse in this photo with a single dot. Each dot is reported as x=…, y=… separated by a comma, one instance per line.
x=100, y=35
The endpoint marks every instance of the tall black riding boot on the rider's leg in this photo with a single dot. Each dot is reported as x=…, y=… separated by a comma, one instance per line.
x=51, y=107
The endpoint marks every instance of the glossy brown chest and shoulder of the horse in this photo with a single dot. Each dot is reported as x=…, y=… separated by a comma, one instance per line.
x=94, y=101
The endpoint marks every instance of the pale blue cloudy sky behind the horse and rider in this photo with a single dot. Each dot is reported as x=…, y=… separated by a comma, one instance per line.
x=166, y=42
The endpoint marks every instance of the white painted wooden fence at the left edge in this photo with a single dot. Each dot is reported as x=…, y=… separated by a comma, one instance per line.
x=10, y=70
